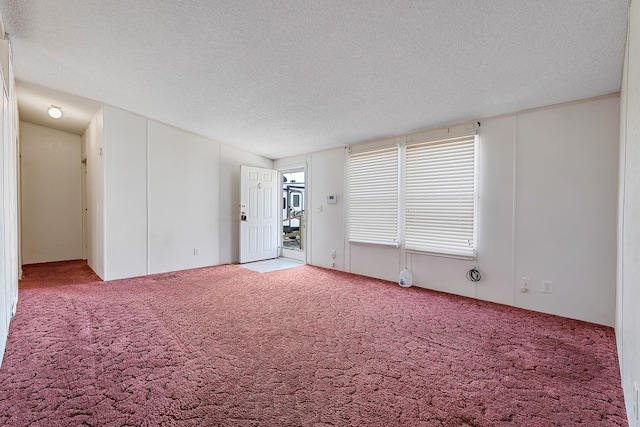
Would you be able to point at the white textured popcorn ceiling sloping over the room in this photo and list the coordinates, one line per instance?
(282, 77)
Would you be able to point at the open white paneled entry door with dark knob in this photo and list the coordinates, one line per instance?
(258, 214)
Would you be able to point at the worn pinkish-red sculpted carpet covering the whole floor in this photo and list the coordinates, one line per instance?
(225, 346)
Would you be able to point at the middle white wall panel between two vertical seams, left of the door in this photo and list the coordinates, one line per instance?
(184, 199)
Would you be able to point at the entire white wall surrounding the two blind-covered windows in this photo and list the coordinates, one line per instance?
(547, 210)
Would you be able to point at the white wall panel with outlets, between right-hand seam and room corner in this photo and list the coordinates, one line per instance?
(566, 173)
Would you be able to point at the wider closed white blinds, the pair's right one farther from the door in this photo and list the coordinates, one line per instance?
(440, 196)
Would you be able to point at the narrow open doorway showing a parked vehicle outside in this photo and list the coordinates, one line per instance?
(293, 214)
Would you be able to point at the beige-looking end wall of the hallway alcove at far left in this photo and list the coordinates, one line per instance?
(51, 194)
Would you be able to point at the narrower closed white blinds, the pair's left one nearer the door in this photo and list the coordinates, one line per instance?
(373, 196)
